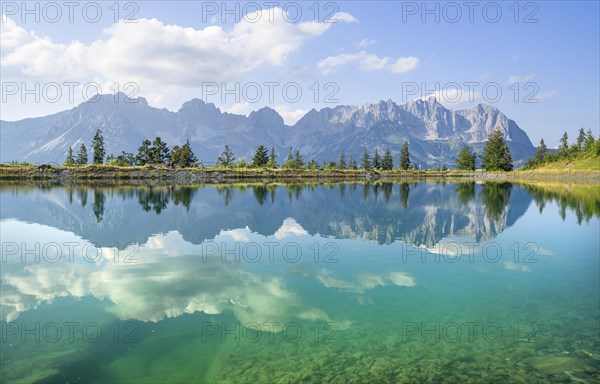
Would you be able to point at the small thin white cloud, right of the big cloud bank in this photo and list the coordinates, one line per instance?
(367, 62)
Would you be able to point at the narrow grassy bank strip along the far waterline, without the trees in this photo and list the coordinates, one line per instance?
(105, 174)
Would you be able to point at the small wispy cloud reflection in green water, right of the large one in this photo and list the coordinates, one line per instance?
(364, 281)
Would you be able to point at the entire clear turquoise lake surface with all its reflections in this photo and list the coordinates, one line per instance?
(401, 283)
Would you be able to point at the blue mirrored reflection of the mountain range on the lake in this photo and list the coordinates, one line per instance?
(420, 214)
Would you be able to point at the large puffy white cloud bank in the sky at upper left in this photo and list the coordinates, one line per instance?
(150, 52)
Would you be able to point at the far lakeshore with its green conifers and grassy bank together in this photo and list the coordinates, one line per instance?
(155, 160)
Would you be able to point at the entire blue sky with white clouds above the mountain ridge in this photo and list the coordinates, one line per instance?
(542, 56)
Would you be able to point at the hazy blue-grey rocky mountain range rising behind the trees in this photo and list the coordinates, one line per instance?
(435, 134)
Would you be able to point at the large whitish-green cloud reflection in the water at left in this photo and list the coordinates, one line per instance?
(171, 278)
